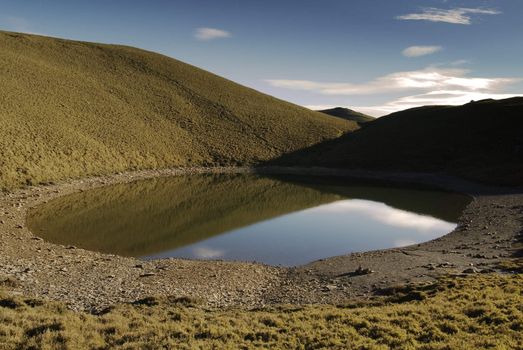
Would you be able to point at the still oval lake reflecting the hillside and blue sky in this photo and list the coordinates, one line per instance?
(274, 220)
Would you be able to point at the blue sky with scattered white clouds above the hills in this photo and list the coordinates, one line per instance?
(375, 56)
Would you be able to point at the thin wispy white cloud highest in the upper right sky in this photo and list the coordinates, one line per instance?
(455, 16)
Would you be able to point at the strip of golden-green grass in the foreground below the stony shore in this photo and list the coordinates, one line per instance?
(477, 312)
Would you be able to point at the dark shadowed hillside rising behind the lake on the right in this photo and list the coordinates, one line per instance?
(481, 140)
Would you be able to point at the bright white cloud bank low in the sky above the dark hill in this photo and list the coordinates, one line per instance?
(429, 86)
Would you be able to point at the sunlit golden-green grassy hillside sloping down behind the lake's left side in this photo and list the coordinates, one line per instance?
(72, 109)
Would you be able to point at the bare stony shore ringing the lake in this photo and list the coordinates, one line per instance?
(490, 230)
